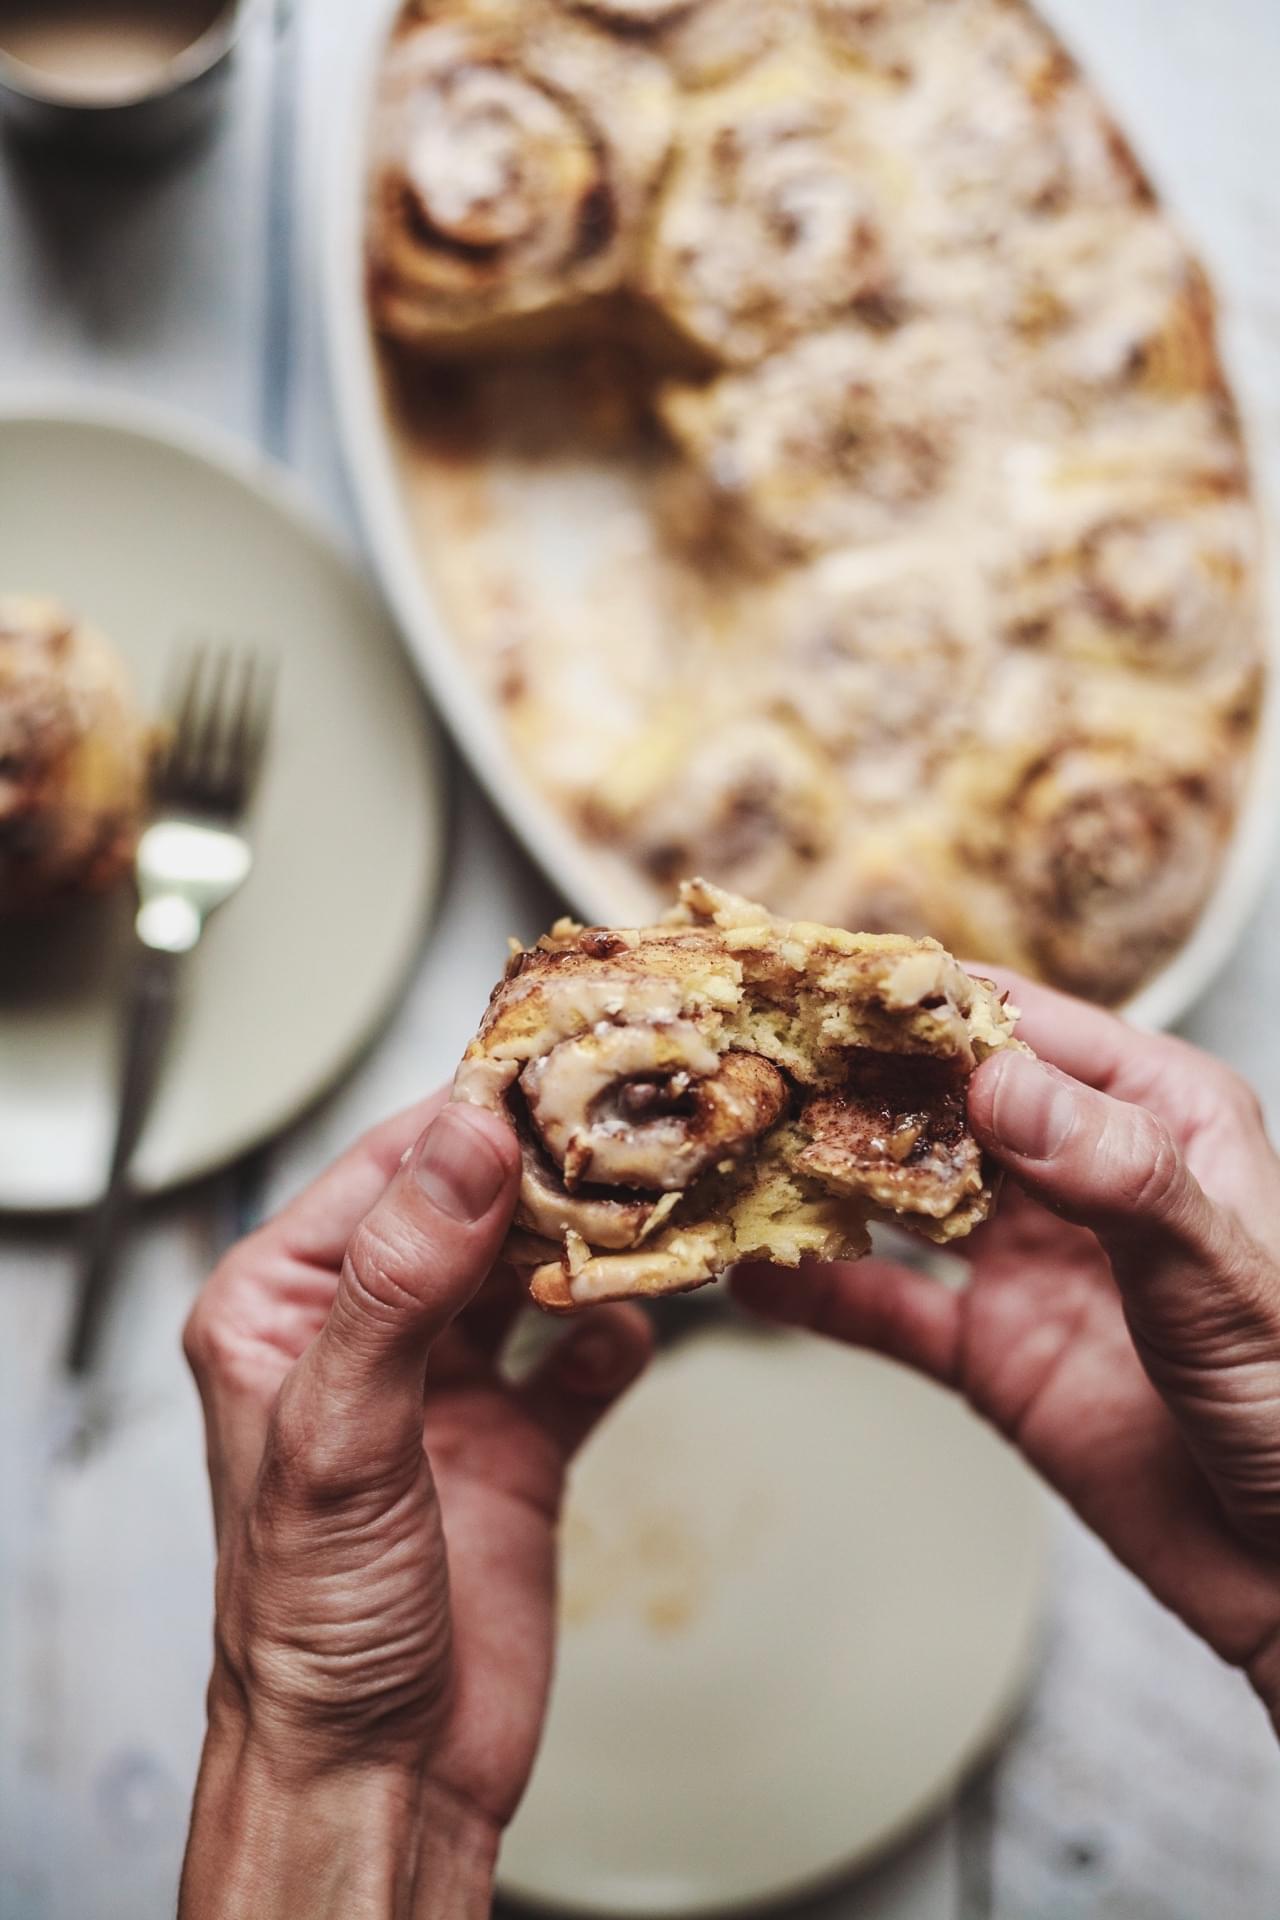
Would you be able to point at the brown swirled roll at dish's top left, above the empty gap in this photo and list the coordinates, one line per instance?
(510, 178)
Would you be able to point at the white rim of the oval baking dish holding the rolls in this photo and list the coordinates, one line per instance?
(596, 884)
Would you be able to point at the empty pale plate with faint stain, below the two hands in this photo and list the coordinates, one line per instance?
(801, 1595)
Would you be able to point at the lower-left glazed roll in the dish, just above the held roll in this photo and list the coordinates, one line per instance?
(751, 800)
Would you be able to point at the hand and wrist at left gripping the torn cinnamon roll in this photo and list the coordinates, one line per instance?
(387, 1548)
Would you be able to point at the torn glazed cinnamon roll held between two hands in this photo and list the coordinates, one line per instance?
(730, 1086)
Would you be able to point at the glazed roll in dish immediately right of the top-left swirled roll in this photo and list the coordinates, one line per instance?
(772, 220)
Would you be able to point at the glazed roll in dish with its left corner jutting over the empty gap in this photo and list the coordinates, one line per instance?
(847, 439)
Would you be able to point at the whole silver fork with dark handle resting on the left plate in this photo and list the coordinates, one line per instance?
(191, 861)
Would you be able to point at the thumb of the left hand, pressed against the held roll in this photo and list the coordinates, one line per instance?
(412, 1266)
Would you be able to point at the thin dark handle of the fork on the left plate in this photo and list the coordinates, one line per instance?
(149, 1024)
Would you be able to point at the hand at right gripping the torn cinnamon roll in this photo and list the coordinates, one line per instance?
(1124, 1314)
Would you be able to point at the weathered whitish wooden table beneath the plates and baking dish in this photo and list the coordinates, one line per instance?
(1143, 1783)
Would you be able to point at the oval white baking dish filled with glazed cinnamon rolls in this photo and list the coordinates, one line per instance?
(799, 446)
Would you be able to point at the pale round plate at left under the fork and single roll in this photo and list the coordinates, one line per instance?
(160, 533)
